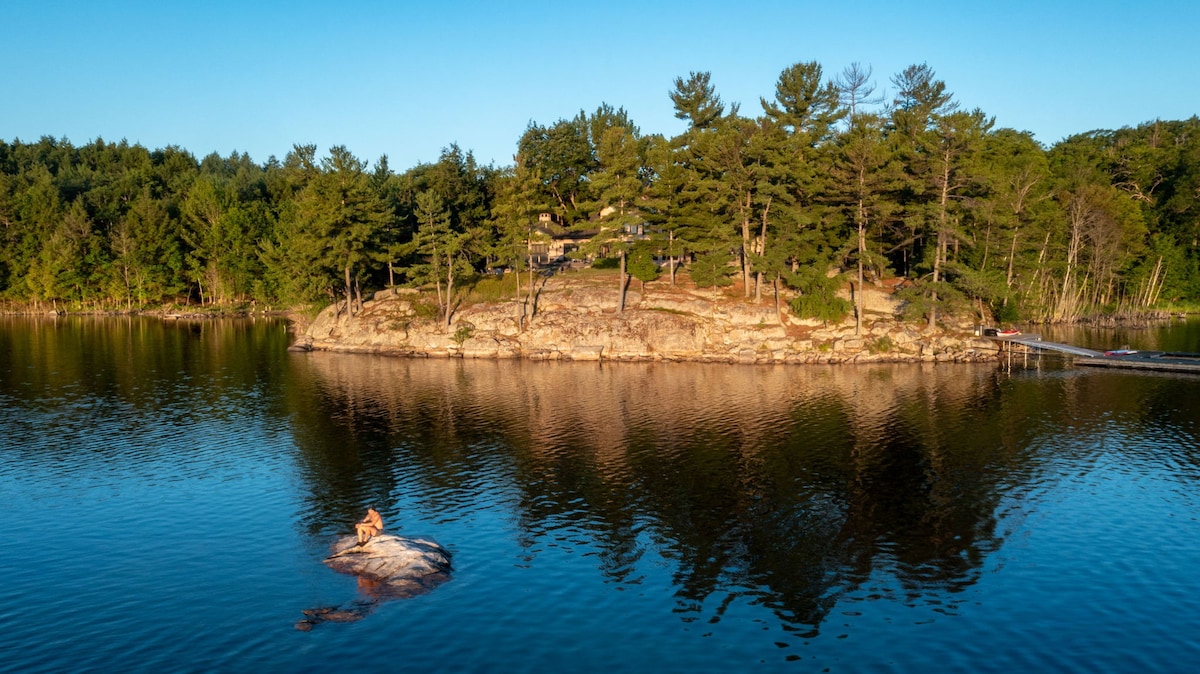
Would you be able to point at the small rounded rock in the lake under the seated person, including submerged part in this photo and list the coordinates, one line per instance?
(388, 568)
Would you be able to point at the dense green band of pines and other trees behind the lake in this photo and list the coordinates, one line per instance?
(829, 185)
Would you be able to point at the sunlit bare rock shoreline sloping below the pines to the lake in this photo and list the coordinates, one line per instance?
(578, 321)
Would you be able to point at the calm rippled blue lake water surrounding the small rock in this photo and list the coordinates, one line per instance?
(170, 490)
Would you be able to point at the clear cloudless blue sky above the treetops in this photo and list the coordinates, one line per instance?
(409, 79)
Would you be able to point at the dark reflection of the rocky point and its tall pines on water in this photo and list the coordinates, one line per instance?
(785, 488)
